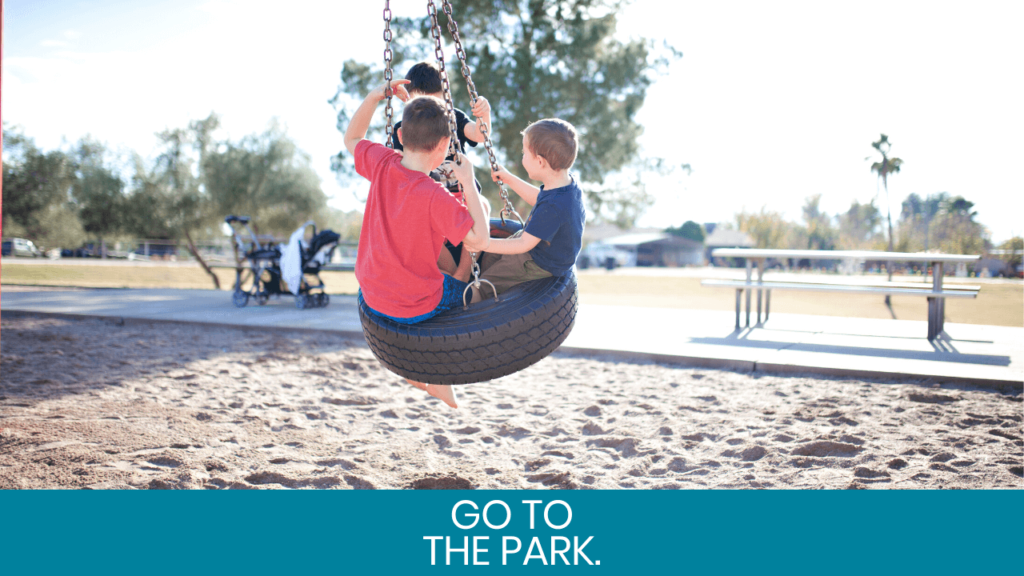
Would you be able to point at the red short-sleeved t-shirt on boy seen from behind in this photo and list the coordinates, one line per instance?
(407, 220)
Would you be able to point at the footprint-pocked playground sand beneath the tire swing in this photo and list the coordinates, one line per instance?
(94, 404)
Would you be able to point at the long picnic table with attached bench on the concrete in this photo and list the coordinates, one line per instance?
(936, 296)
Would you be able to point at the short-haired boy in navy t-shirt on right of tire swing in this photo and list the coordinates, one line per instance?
(551, 241)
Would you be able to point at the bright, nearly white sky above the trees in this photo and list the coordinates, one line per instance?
(771, 104)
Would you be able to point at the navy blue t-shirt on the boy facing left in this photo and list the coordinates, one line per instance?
(558, 220)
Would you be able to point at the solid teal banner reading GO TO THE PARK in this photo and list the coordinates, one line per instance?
(592, 532)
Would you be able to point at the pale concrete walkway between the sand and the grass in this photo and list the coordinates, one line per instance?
(990, 356)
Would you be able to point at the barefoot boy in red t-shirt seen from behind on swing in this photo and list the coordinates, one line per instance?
(409, 217)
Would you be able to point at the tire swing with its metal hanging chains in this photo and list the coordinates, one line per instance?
(493, 339)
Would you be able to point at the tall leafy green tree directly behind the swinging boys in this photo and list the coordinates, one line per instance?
(538, 59)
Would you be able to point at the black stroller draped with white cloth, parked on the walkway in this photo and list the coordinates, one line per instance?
(269, 266)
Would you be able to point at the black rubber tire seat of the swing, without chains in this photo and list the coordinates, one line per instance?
(487, 342)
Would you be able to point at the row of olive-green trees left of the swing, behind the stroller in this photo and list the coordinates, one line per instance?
(63, 199)
